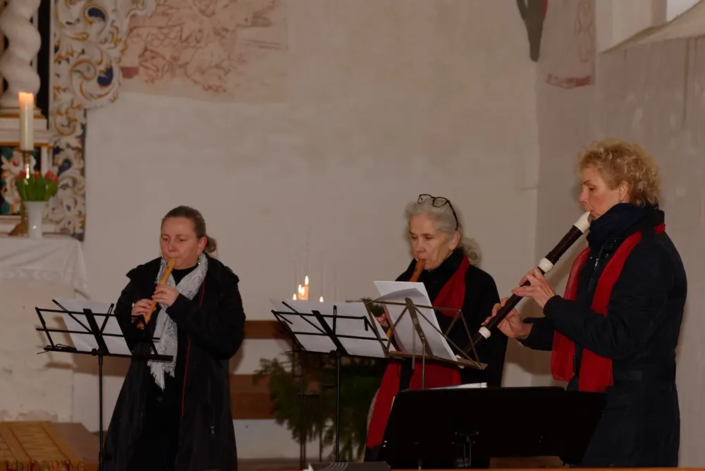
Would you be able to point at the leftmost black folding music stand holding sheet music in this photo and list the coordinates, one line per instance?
(97, 338)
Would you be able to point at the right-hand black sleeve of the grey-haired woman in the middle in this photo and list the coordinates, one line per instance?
(483, 297)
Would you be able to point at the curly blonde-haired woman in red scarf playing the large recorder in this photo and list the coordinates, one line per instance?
(616, 328)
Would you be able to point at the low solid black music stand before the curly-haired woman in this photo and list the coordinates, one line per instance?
(447, 427)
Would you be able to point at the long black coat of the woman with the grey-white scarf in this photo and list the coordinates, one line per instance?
(209, 336)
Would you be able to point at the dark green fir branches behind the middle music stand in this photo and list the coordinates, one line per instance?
(306, 403)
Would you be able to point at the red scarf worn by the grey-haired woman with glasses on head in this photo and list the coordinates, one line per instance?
(451, 296)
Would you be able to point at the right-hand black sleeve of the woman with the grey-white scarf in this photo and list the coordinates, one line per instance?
(219, 330)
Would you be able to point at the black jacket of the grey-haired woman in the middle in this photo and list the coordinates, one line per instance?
(480, 296)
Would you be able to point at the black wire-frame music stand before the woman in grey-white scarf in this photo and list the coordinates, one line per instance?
(94, 331)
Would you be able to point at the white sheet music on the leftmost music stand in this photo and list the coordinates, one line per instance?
(79, 323)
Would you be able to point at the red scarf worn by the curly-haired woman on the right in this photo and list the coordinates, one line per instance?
(595, 371)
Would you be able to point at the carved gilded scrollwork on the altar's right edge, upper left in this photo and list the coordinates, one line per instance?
(89, 38)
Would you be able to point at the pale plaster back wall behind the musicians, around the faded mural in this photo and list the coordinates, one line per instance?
(386, 99)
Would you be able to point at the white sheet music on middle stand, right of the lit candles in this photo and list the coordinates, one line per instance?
(342, 327)
